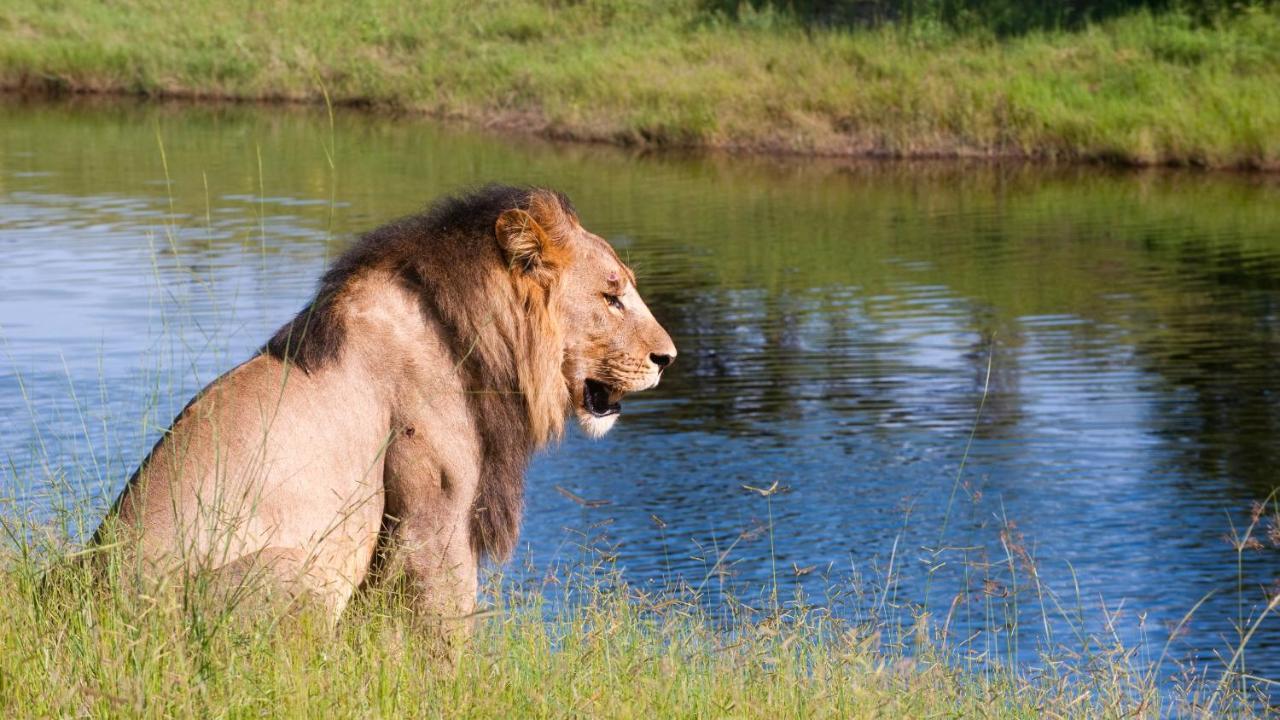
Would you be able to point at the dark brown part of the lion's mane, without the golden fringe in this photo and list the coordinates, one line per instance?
(444, 257)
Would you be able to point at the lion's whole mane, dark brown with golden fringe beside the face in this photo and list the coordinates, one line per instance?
(501, 326)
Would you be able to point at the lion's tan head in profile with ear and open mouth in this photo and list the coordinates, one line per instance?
(611, 343)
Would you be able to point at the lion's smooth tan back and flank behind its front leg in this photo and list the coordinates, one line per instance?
(264, 455)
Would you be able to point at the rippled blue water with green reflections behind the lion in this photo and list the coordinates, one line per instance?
(836, 325)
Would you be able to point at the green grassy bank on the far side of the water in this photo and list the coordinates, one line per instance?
(1139, 89)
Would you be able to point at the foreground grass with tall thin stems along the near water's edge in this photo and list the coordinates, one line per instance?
(81, 637)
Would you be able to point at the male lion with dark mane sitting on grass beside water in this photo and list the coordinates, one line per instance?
(397, 413)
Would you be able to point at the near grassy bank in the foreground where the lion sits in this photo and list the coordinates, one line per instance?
(74, 648)
